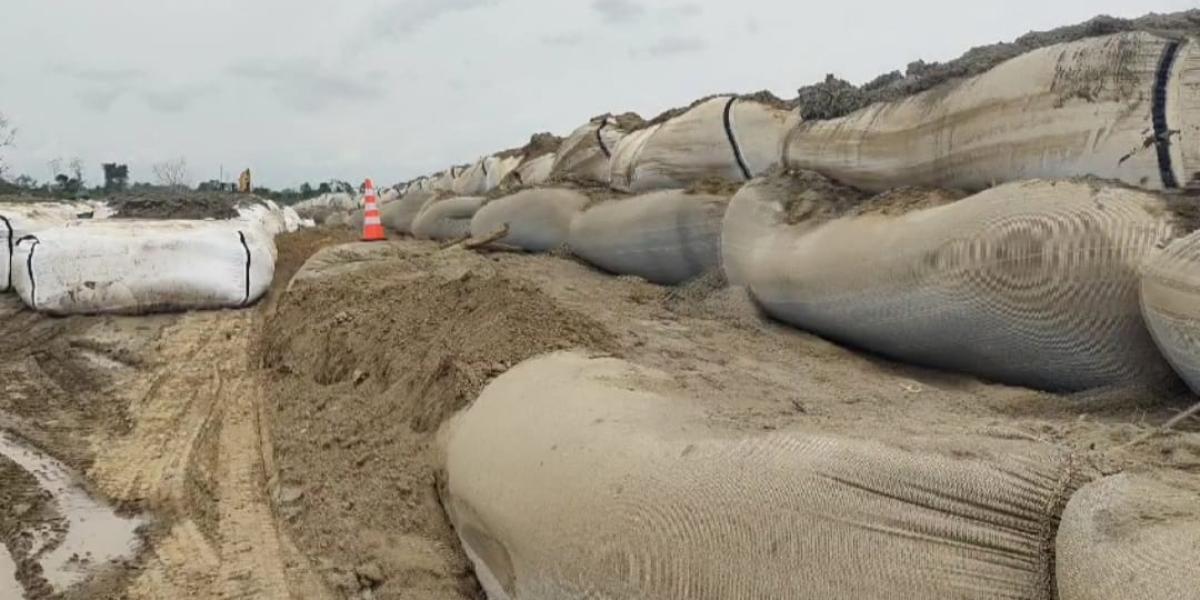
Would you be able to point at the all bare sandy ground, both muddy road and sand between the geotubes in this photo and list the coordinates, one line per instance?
(286, 451)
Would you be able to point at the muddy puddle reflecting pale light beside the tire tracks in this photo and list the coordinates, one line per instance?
(91, 535)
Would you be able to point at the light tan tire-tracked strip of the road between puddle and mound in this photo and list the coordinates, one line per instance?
(202, 381)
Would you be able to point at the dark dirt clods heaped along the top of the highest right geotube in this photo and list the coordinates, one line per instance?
(836, 98)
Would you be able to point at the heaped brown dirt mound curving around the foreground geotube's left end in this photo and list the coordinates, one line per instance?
(368, 362)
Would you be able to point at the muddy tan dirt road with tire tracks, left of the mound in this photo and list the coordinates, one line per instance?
(161, 417)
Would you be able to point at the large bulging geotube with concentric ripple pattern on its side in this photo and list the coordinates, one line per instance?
(1033, 284)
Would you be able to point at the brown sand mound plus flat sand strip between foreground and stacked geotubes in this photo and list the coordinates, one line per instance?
(377, 350)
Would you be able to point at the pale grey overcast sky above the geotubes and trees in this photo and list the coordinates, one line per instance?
(316, 89)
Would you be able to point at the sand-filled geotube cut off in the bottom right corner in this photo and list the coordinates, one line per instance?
(1132, 536)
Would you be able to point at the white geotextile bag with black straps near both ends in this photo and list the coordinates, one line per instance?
(142, 267)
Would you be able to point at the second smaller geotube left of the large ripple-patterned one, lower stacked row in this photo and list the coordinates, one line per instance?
(537, 220)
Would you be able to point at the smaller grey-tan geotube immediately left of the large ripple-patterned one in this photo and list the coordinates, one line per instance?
(667, 237)
